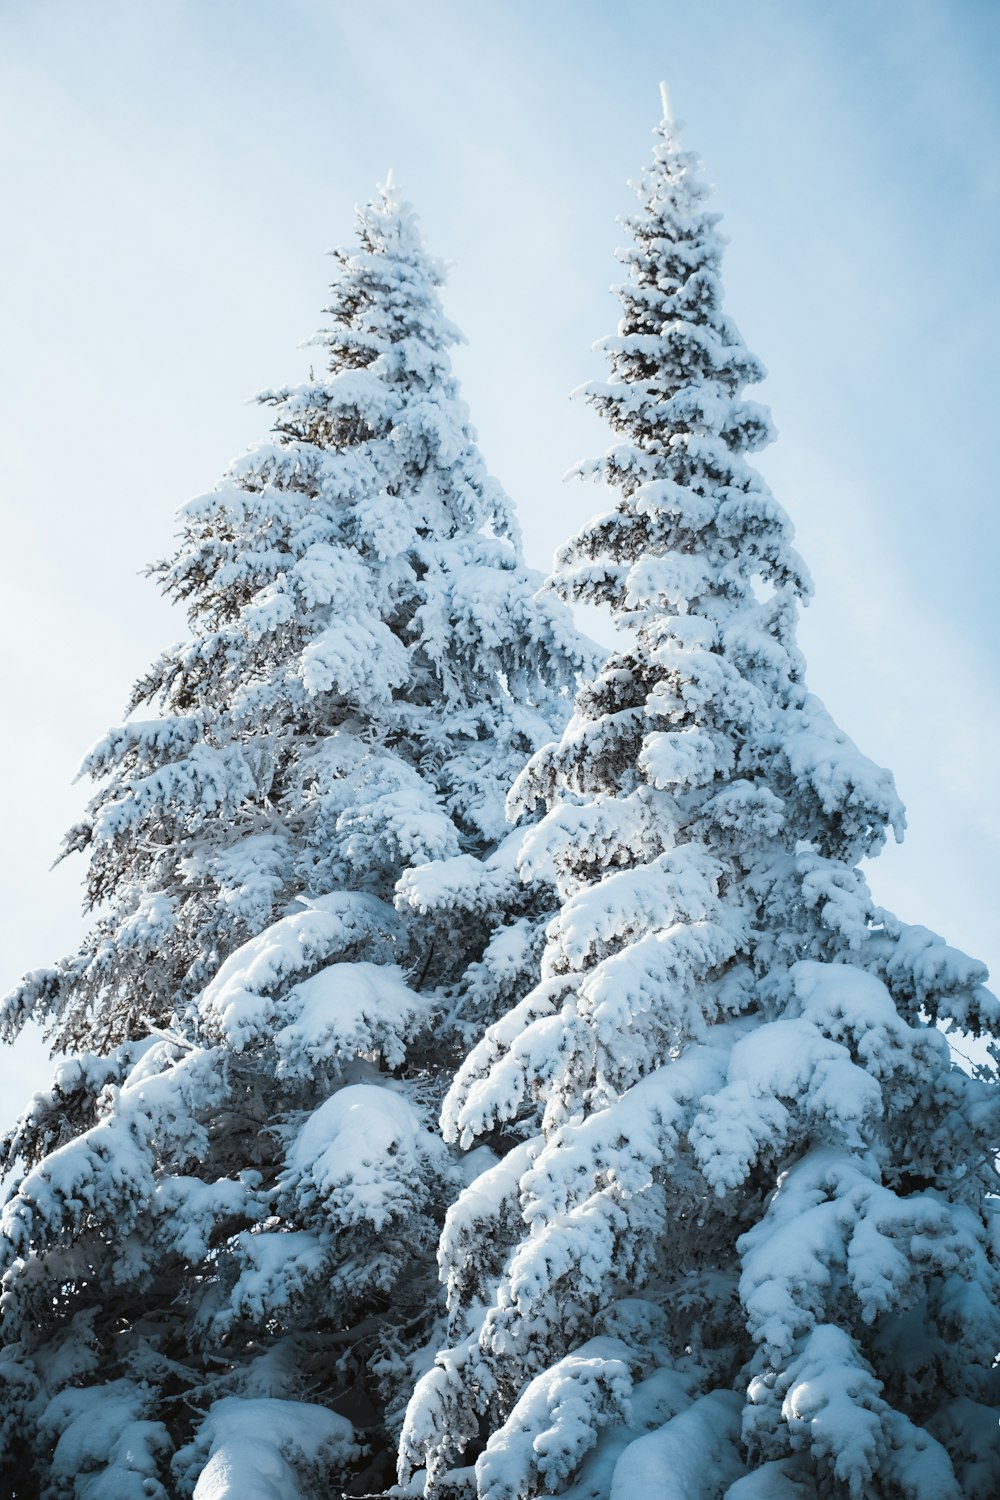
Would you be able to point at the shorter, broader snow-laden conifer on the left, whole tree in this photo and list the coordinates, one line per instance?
(221, 1247)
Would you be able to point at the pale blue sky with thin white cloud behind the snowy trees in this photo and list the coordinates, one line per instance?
(173, 175)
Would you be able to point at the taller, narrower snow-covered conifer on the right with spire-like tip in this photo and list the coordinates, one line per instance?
(744, 1249)
